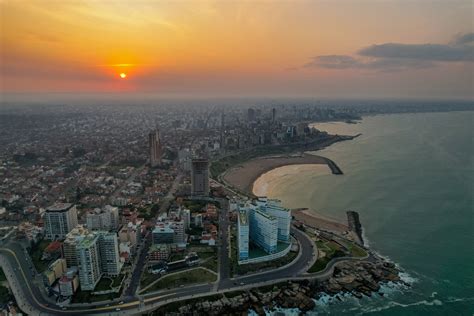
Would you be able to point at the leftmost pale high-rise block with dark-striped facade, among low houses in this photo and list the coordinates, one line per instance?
(59, 219)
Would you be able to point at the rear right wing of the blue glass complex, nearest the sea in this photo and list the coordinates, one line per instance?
(274, 208)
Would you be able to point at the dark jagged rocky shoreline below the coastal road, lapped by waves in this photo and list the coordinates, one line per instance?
(360, 278)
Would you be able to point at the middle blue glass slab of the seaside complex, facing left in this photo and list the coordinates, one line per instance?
(263, 230)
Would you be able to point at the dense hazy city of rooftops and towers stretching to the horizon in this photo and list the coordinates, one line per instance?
(99, 209)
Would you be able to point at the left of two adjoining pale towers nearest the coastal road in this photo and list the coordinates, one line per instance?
(88, 258)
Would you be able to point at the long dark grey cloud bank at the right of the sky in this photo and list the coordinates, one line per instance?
(396, 56)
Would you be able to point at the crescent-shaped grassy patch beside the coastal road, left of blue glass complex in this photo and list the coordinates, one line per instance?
(183, 278)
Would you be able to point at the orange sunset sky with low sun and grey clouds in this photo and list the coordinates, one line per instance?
(329, 48)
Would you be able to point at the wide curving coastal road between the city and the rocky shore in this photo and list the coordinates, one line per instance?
(33, 302)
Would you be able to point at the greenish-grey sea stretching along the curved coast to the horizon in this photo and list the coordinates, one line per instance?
(410, 177)
